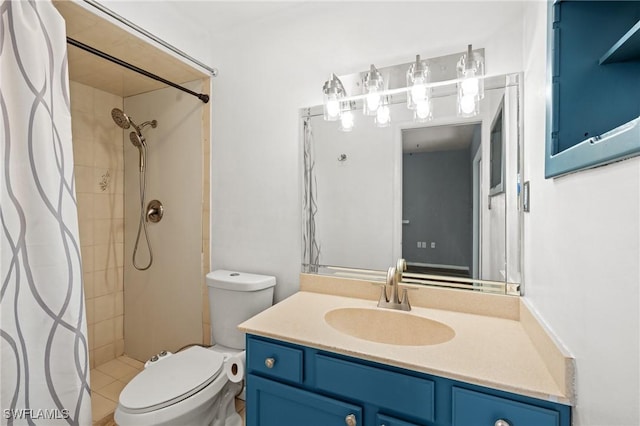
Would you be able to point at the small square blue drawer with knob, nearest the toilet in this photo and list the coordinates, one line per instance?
(273, 360)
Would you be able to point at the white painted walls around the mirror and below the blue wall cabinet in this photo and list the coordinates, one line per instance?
(581, 237)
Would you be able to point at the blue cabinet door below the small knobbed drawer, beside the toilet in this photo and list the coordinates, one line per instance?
(276, 404)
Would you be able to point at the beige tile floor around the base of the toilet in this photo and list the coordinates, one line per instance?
(108, 380)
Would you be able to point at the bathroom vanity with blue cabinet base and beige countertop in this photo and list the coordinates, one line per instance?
(495, 370)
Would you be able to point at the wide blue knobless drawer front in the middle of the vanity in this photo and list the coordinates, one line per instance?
(395, 392)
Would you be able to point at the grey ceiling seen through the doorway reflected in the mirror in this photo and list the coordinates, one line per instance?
(437, 138)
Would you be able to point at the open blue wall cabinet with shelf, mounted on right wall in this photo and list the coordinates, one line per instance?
(593, 115)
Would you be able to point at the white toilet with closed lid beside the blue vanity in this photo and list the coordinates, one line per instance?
(190, 387)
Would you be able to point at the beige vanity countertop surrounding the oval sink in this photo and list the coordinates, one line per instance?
(489, 351)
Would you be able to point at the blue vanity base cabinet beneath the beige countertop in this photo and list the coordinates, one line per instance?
(296, 385)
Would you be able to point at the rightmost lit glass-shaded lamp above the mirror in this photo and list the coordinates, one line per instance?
(470, 70)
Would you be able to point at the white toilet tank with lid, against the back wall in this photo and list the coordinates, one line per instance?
(234, 297)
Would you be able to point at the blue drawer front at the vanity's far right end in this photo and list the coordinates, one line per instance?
(477, 409)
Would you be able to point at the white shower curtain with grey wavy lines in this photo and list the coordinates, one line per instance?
(43, 345)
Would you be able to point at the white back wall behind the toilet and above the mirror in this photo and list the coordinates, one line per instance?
(270, 70)
